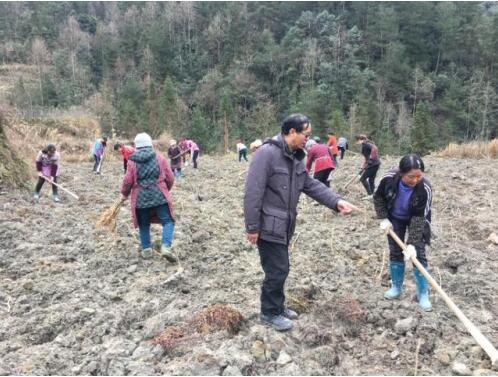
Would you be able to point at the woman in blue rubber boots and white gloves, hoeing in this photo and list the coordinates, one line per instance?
(403, 200)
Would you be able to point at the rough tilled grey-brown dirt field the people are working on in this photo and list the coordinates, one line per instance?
(76, 299)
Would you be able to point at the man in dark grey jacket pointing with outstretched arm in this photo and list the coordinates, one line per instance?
(275, 180)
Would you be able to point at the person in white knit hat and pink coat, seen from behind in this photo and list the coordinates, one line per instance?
(149, 180)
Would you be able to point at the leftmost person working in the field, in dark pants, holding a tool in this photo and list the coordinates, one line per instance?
(47, 165)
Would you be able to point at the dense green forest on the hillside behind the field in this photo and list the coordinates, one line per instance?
(412, 75)
